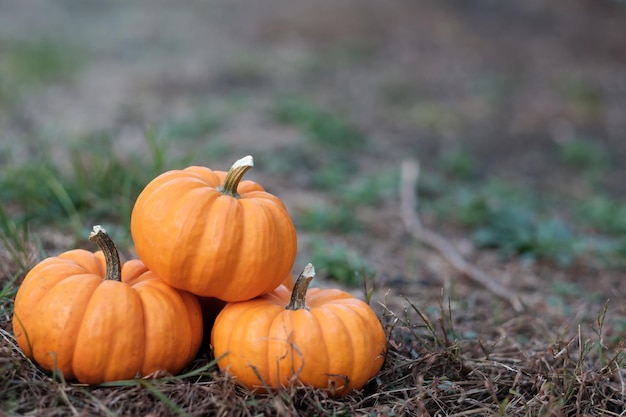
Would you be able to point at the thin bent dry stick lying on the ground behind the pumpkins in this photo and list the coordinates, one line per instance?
(411, 220)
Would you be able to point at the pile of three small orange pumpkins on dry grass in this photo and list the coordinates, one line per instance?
(207, 242)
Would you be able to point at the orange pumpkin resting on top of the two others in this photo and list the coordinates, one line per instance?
(211, 234)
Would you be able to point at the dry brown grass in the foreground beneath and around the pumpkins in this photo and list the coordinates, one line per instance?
(430, 370)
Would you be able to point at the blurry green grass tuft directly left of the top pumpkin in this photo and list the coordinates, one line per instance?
(98, 186)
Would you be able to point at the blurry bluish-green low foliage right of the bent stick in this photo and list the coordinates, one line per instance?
(520, 221)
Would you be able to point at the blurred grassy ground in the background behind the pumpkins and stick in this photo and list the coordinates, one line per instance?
(516, 111)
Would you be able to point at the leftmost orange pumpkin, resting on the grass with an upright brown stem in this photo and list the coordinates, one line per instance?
(93, 319)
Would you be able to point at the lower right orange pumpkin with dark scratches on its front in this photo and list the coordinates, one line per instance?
(324, 338)
